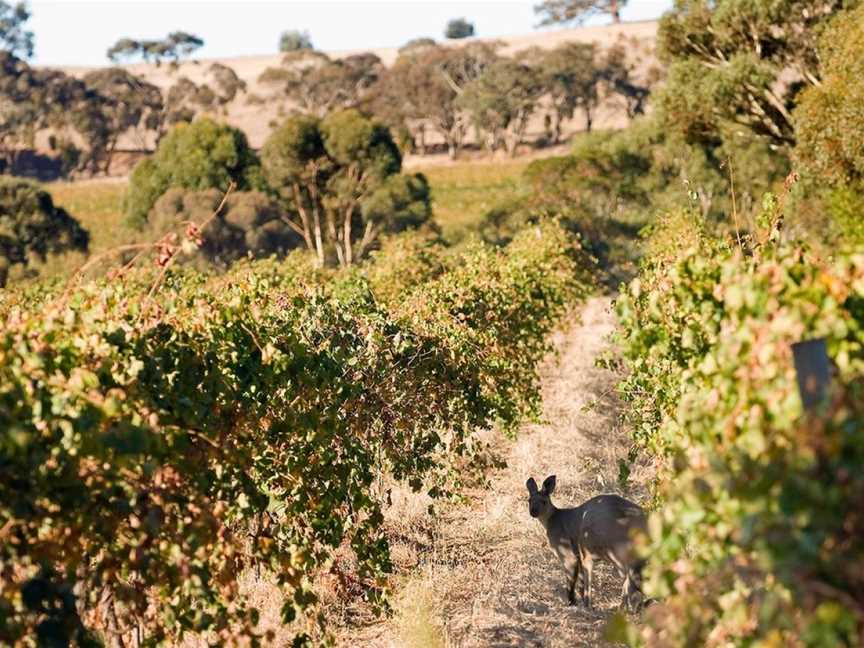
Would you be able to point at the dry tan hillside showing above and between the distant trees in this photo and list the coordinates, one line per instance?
(255, 118)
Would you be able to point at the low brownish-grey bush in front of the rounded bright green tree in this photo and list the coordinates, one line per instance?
(249, 223)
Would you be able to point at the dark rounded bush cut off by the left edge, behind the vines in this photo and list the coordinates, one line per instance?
(32, 228)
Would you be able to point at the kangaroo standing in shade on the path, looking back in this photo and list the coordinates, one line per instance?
(599, 529)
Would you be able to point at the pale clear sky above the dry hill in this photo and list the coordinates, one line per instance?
(78, 32)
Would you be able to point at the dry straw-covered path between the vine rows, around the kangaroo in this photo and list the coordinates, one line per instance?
(481, 573)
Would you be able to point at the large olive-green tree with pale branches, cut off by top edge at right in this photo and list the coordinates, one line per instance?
(740, 63)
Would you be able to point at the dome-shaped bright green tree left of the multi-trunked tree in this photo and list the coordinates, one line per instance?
(202, 155)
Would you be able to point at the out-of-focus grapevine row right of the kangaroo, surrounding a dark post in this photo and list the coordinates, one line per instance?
(758, 537)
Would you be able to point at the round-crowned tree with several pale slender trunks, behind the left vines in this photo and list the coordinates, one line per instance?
(341, 176)
